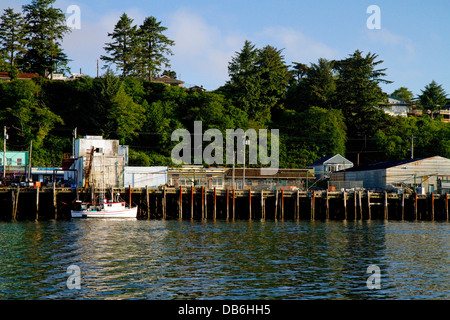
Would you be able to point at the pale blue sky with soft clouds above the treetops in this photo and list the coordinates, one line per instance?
(412, 37)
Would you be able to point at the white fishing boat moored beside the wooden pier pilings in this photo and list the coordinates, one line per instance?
(103, 210)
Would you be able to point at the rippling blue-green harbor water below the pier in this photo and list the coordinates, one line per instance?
(132, 259)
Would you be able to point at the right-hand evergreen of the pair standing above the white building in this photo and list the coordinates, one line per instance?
(153, 48)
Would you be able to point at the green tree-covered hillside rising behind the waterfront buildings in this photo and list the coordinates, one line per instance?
(320, 109)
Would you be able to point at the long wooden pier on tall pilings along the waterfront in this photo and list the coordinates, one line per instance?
(199, 203)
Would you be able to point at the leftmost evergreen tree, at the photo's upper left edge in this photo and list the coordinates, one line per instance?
(12, 38)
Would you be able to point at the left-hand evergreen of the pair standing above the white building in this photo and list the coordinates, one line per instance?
(122, 49)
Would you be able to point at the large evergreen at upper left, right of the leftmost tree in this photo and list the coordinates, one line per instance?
(46, 27)
